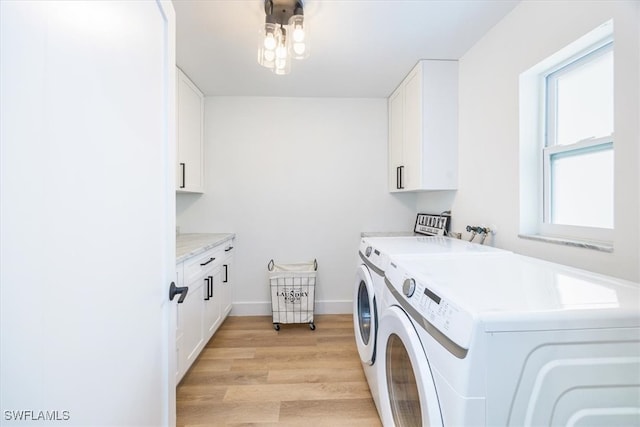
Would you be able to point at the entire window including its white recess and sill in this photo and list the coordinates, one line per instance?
(567, 144)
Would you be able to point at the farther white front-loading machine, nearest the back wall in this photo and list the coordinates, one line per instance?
(370, 292)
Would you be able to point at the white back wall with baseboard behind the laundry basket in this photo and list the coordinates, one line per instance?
(295, 179)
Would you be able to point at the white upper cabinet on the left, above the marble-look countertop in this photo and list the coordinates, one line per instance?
(190, 128)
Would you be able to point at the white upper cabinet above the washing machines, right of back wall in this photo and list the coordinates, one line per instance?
(423, 129)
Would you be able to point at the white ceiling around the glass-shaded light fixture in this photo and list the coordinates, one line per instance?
(358, 48)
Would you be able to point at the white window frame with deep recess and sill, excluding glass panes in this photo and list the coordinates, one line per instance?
(535, 156)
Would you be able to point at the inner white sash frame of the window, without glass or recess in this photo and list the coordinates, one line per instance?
(550, 148)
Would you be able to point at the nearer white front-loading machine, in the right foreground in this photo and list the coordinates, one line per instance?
(507, 340)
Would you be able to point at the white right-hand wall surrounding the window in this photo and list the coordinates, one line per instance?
(488, 135)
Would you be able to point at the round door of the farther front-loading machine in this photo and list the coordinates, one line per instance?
(365, 316)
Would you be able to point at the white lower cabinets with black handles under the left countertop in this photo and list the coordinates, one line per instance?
(207, 304)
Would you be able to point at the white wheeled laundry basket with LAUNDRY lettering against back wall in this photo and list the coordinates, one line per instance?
(293, 292)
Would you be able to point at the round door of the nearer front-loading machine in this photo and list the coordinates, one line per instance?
(407, 392)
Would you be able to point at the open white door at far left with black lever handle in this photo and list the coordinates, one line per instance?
(87, 212)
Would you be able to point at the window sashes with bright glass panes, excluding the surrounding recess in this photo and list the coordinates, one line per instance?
(578, 151)
